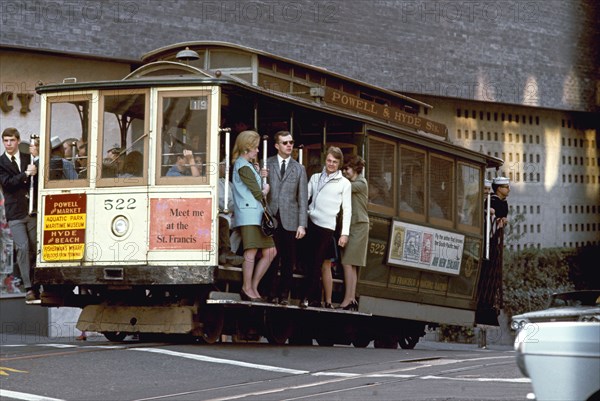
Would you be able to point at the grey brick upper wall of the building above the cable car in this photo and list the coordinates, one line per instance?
(537, 53)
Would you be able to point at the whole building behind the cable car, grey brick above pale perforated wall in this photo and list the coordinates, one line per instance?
(515, 79)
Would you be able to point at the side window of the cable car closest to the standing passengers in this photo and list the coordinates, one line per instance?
(380, 171)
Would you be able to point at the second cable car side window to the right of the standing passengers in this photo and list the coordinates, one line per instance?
(412, 180)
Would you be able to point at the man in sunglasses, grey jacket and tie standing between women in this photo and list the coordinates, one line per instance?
(288, 200)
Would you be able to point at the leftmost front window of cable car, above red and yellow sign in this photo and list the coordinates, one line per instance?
(67, 133)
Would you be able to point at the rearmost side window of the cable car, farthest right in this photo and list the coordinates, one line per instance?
(469, 197)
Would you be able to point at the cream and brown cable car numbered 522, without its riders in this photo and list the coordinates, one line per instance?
(133, 239)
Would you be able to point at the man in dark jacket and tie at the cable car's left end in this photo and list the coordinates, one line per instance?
(16, 173)
